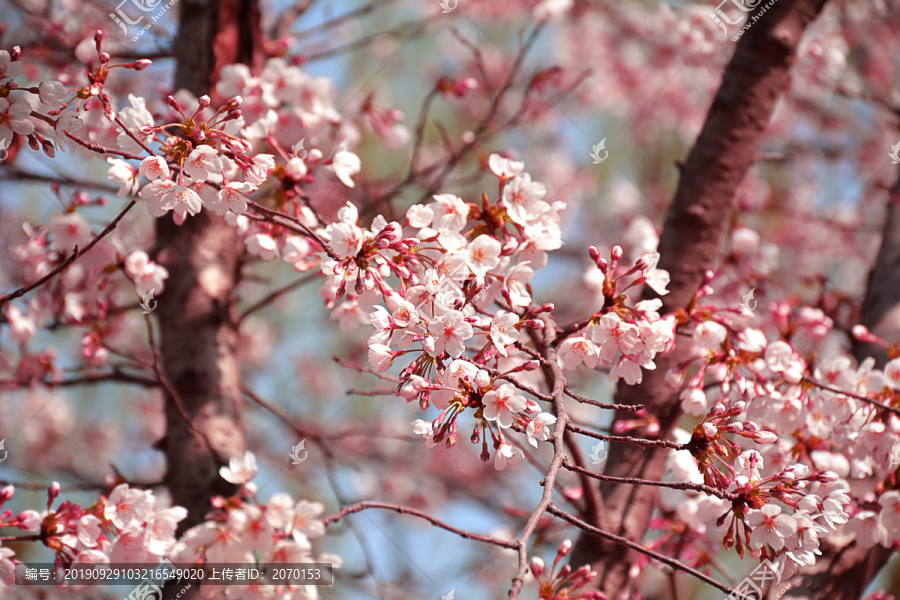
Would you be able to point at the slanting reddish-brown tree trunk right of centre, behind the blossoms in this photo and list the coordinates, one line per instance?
(752, 83)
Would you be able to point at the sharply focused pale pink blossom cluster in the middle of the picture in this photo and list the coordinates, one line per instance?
(448, 292)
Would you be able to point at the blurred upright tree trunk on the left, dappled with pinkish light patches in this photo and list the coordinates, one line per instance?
(197, 314)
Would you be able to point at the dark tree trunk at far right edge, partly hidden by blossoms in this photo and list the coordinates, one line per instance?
(844, 574)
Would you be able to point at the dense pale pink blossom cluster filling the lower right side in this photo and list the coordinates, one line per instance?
(786, 438)
